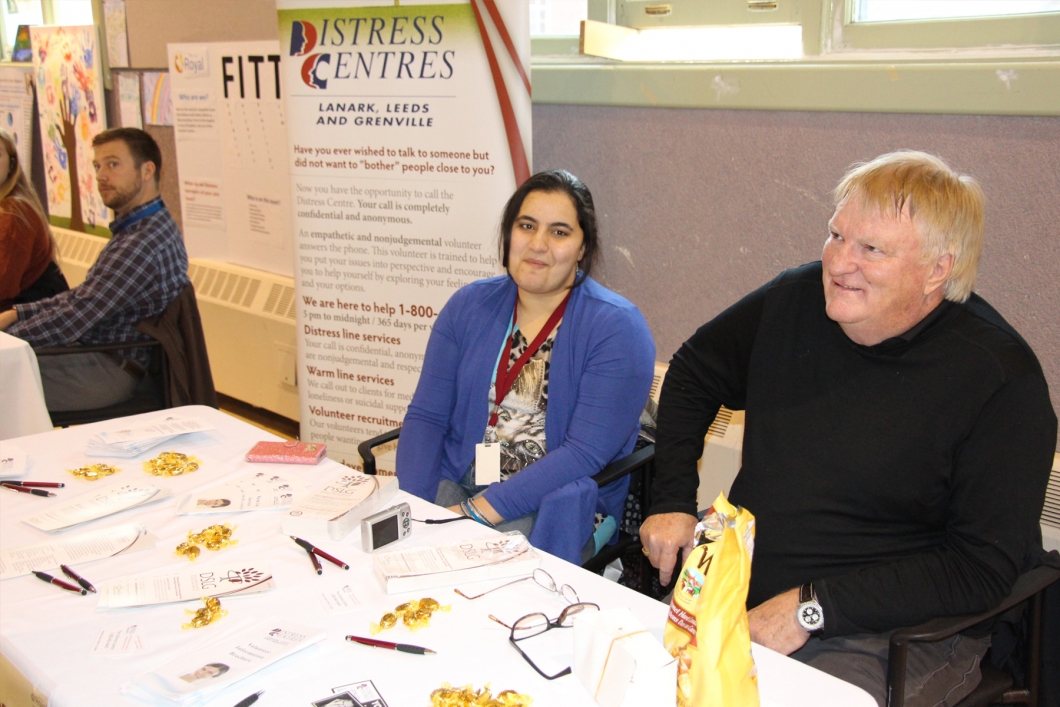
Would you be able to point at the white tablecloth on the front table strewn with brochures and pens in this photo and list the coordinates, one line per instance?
(47, 633)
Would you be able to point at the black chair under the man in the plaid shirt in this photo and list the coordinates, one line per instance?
(151, 395)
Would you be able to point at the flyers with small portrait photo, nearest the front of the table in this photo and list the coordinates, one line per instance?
(198, 676)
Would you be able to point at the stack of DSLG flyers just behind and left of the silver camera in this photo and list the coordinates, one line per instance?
(338, 507)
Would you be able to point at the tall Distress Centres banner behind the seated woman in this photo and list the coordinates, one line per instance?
(410, 130)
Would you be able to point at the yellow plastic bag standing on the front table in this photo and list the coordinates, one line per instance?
(708, 627)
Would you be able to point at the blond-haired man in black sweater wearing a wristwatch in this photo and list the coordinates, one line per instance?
(899, 436)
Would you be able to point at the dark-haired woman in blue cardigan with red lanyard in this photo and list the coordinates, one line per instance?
(545, 365)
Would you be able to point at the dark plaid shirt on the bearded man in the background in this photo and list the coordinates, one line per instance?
(139, 273)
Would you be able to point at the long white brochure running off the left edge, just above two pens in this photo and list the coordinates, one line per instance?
(76, 550)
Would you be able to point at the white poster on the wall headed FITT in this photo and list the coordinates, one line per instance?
(232, 136)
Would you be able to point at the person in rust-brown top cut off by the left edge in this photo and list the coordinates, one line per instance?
(28, 269)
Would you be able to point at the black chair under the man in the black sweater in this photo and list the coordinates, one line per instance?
(997, 687)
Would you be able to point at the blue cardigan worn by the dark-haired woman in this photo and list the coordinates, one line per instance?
(599, 378)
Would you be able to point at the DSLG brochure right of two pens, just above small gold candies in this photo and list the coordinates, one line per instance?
(185, 585)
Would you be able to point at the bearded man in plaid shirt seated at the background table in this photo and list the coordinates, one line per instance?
(143, 269)
